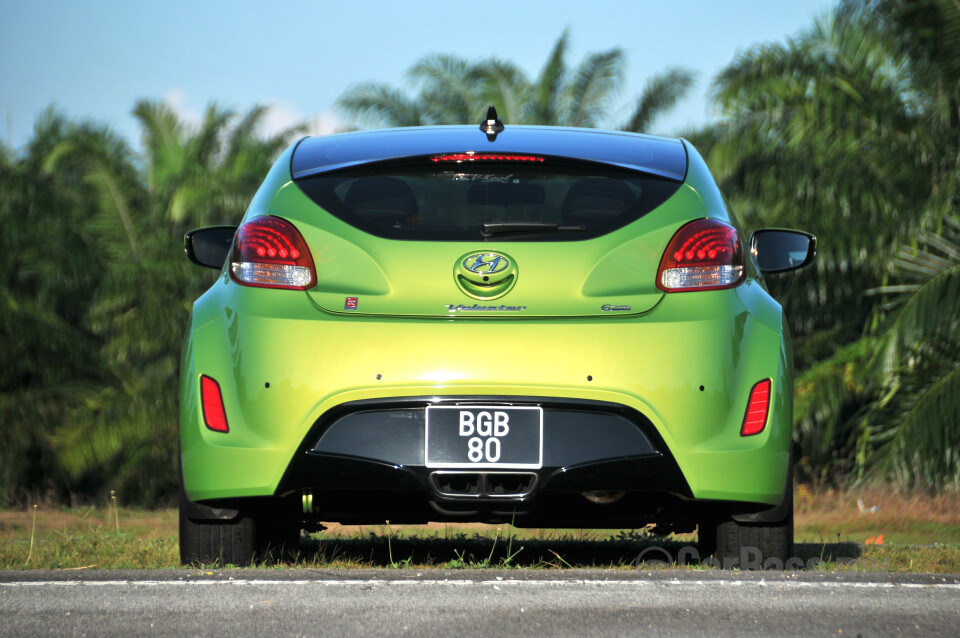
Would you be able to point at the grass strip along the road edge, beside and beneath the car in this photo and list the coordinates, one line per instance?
(920, 534)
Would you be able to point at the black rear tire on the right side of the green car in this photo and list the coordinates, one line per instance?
(748, 545)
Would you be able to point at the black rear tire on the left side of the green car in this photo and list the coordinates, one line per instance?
(227, 542)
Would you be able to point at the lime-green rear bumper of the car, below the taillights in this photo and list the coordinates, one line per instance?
(682, 373)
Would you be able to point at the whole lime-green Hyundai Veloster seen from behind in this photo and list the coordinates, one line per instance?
(549, 327)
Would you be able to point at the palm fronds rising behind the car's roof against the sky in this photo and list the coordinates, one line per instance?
(452, 90)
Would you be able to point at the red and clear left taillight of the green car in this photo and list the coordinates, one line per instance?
(270, 252)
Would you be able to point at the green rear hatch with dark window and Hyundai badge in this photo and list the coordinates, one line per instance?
(486, 234)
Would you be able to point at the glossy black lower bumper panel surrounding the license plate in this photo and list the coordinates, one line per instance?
(588, 446)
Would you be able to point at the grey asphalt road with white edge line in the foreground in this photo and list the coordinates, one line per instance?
(476, 603)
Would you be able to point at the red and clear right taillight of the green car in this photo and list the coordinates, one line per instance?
(703, 255)
